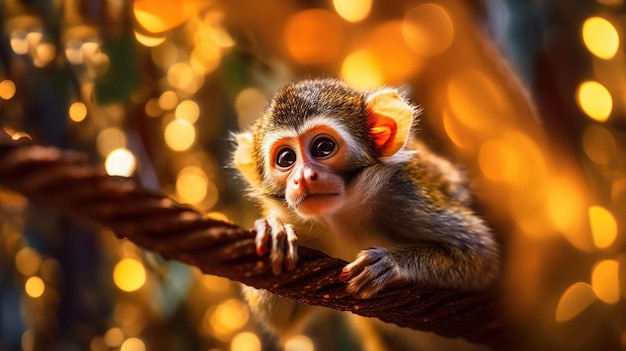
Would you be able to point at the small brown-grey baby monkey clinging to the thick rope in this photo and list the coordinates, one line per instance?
(339, 169)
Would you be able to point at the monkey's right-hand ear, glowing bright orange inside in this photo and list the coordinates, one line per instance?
(390, 121)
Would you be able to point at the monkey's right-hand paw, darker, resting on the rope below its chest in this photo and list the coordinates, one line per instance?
(370, 272)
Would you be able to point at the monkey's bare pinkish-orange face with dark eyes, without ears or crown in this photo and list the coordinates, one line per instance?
(310, 164)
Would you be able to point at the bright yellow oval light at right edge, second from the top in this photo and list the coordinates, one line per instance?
(595, 100)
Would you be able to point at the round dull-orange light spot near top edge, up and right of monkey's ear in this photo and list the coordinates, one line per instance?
(428, 29)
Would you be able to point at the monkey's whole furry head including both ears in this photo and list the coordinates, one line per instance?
(315, 137)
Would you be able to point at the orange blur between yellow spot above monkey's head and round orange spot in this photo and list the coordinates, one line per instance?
(396, 61)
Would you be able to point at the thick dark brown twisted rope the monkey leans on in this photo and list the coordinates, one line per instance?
(65, 181)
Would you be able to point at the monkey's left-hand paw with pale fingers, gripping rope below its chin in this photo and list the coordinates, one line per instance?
(279, 239)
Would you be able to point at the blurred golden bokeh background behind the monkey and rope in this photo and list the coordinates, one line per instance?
(152, 89)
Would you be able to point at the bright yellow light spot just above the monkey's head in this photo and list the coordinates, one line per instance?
(361, 69)
